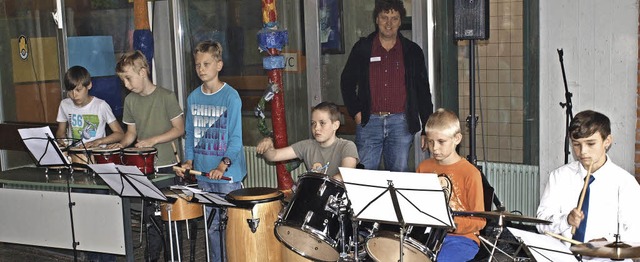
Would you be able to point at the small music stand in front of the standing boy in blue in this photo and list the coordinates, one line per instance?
(206, 198)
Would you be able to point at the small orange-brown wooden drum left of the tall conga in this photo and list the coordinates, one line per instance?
(182, 209)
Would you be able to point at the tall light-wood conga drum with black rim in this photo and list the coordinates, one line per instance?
(251, 224)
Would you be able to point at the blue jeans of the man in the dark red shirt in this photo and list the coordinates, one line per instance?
(386, 136)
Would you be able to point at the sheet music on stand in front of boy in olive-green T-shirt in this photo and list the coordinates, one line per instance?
(109, 173)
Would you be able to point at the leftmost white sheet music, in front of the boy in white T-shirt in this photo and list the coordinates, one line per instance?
(37, 141)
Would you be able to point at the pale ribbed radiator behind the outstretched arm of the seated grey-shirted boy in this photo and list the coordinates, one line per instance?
(261, 173)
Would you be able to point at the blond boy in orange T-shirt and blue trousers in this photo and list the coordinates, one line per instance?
(443, 135)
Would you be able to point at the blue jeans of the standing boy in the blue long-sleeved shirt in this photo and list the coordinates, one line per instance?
(214, 229)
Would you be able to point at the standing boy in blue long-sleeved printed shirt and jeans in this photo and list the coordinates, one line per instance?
(213, 142)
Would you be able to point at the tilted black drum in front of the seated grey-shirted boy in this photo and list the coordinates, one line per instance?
(310, 223)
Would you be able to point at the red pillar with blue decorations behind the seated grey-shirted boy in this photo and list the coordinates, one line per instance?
(271, 40)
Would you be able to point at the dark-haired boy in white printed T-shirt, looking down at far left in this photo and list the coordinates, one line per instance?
(86, 115)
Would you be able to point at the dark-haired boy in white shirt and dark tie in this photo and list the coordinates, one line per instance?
(613, 193)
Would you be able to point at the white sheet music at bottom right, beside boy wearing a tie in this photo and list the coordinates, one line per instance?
(543, 247)
